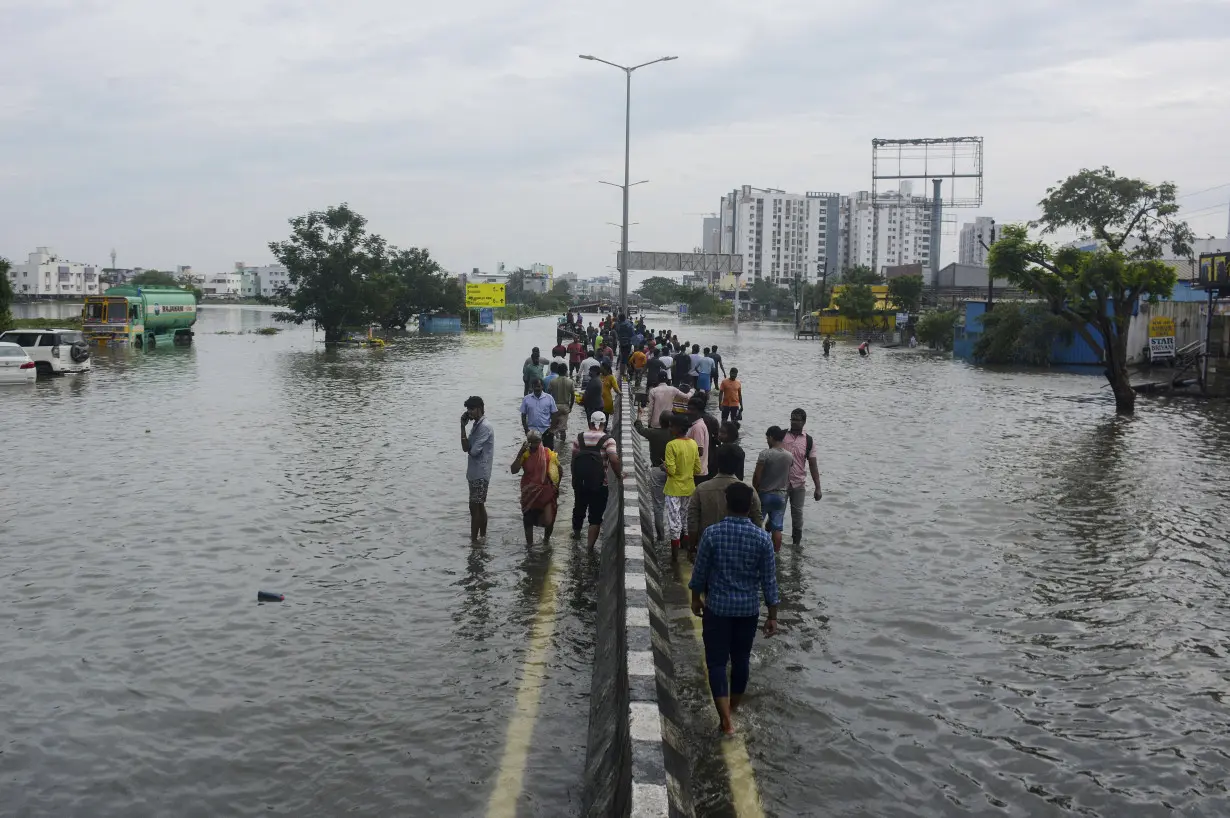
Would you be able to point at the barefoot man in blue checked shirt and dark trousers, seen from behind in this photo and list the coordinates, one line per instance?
(735, 564)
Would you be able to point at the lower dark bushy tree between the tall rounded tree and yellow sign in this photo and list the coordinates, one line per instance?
(411, 282)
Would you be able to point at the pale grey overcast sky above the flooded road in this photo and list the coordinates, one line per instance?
(188, 133)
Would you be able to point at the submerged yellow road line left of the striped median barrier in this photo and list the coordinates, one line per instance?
(530, 694)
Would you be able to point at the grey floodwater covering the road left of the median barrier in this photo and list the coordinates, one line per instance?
(148, 502)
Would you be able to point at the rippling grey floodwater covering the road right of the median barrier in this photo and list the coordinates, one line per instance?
(1008, 603)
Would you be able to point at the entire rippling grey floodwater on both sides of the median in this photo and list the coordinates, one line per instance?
(1009, 602)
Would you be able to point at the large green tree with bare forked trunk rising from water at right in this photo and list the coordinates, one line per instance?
(1135, 223)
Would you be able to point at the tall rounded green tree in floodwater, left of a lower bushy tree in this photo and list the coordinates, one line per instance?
(333, 264)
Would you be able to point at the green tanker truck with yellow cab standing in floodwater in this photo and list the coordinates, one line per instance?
(142, 317)
